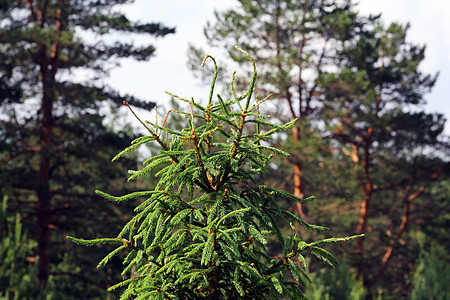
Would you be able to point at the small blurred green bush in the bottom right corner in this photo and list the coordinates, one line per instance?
(432, 275)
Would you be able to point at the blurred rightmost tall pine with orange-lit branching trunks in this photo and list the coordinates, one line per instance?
(394, 150)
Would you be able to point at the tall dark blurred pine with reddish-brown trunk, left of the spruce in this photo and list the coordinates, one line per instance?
(56, 142)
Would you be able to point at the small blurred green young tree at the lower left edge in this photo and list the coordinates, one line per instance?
(16, 273)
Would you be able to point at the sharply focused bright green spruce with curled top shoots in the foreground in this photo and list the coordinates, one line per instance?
(203, 231)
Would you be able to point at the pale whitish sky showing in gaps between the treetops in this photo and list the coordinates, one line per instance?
(168, 71)
